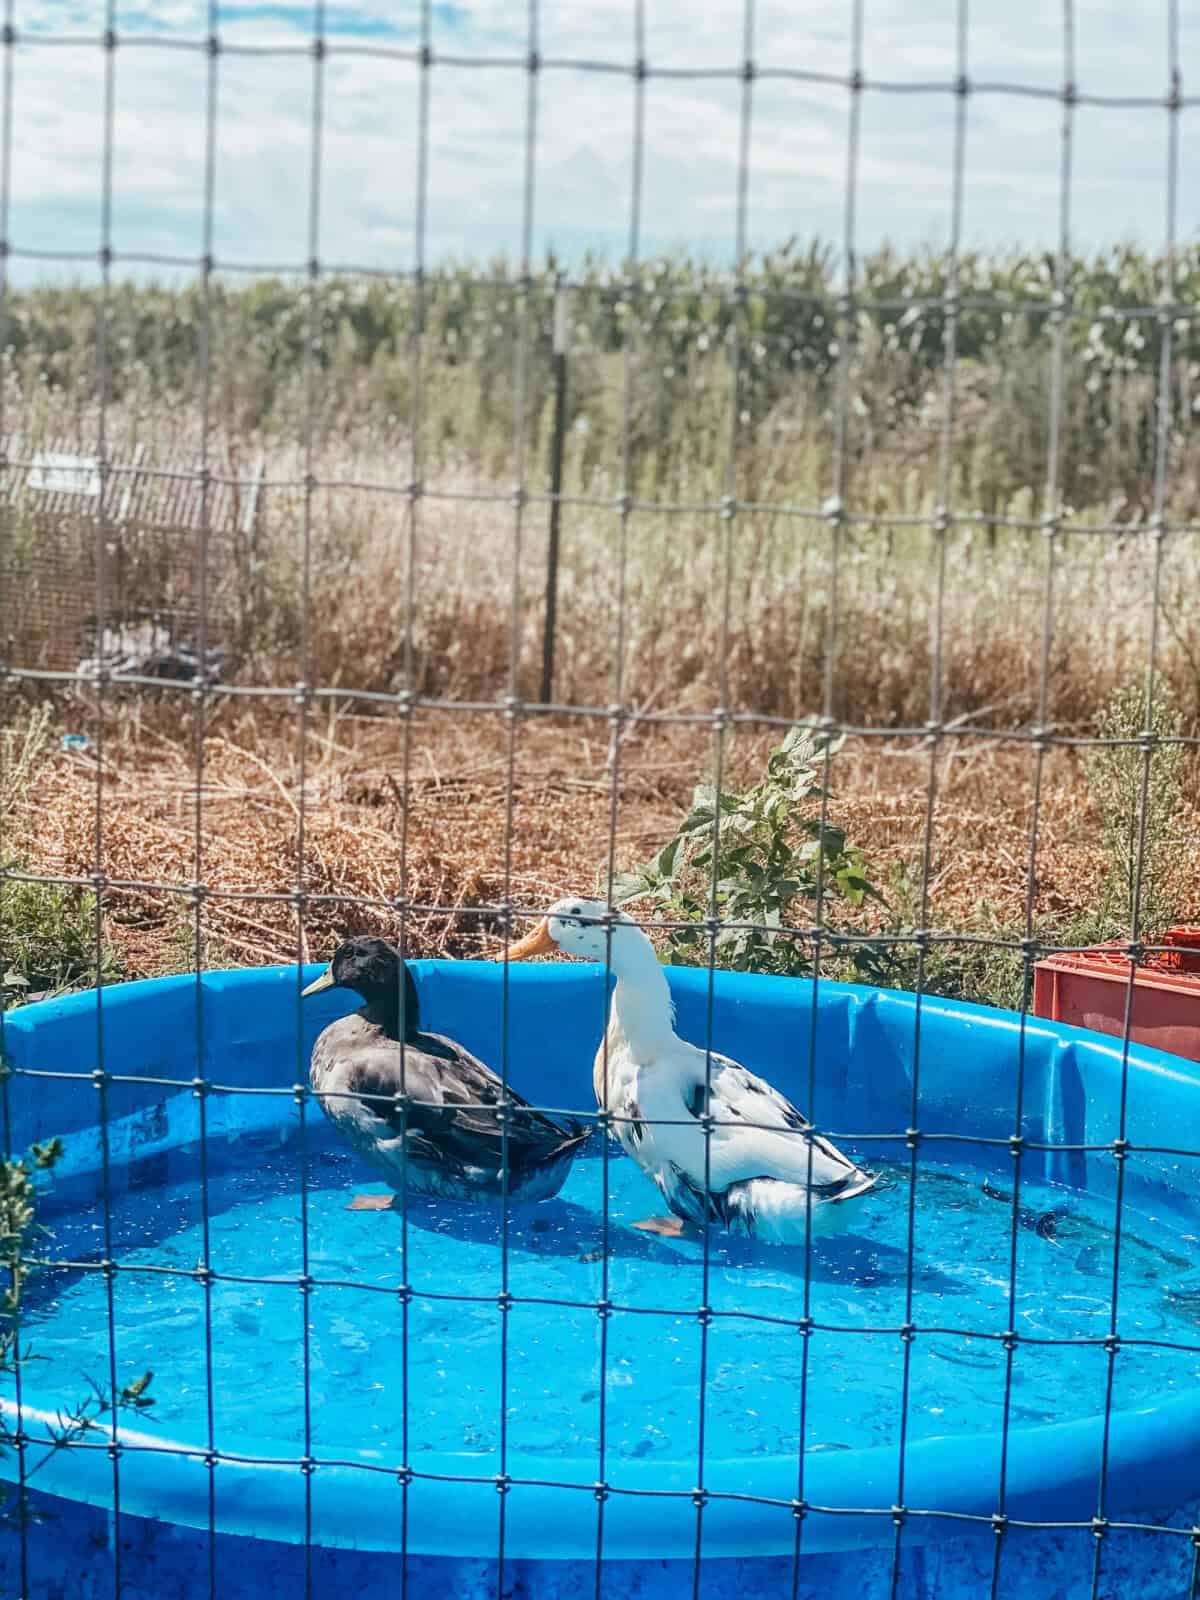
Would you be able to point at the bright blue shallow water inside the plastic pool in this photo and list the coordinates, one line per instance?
(758, 1372)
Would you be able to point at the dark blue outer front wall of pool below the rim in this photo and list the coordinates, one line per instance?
(71, 1558)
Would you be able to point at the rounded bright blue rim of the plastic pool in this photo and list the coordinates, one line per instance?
(1052, 1470)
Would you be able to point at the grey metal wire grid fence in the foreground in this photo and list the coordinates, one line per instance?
(210, 484)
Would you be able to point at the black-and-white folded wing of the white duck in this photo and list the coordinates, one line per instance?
(759, 1134)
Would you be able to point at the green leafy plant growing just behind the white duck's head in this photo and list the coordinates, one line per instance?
(774, 854)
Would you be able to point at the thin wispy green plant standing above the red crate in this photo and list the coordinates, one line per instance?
(1138, 802)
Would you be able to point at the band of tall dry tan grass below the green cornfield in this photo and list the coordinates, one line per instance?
(425, 599)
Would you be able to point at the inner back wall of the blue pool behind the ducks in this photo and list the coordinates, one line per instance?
(247, 1030)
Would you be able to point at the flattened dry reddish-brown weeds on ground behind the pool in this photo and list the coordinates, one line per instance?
(426, 818)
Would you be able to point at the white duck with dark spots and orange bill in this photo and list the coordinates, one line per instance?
(761, 1177)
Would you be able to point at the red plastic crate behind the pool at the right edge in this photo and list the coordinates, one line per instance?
(1090, 990)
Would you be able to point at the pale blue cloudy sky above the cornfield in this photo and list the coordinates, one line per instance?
(585, 129)
